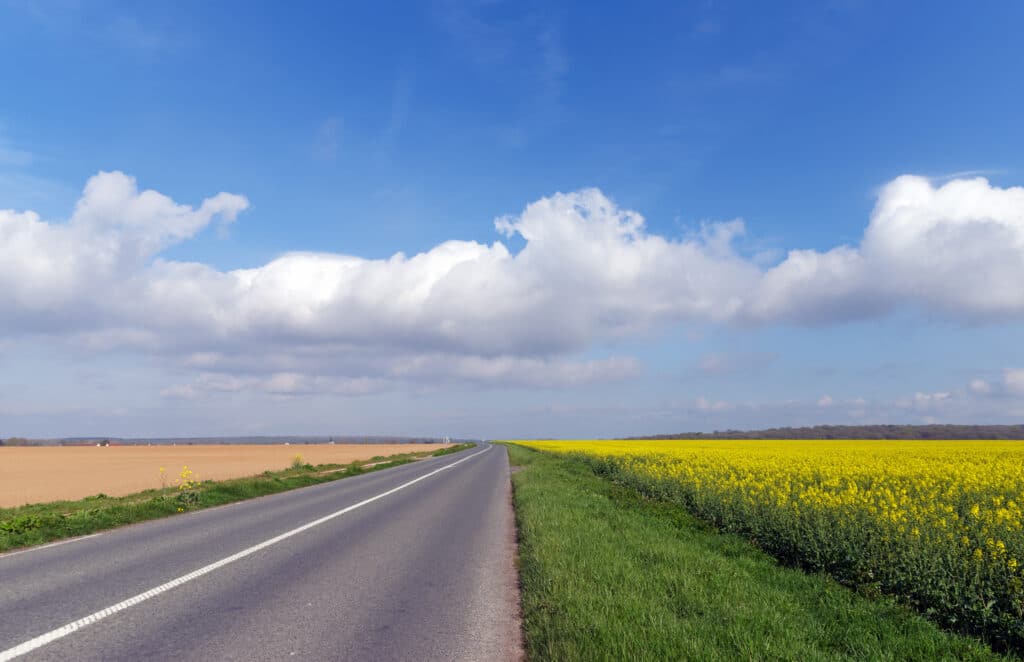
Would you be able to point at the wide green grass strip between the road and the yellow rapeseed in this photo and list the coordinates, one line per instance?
(610, 575)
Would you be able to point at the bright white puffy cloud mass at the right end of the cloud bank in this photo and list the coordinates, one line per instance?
(956, 250)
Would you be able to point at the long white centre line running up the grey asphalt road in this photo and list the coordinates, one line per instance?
(65, 631)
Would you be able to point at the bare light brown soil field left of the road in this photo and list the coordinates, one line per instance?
(36, 475)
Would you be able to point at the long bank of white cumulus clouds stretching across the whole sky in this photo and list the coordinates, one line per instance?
(589, 273)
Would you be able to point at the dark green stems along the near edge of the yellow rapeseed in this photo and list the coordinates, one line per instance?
(940, 582)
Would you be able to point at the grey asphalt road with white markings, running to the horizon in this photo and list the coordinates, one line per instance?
(414, 563)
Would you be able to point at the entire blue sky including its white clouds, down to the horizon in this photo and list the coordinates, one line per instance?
(882, 140)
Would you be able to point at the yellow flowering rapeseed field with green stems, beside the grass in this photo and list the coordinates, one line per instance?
(936, 523)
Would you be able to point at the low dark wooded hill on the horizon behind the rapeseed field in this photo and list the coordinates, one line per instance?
(862, 432)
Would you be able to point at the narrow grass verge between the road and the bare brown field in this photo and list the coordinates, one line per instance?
(41, 523)
